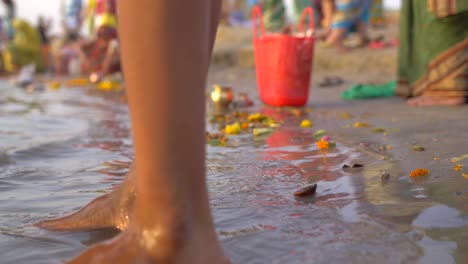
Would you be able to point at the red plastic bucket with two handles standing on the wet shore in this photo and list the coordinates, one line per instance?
(283, 63)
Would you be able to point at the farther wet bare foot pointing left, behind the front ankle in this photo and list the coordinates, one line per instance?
(108, 211)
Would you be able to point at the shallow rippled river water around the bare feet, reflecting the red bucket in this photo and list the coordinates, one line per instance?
(59, 150)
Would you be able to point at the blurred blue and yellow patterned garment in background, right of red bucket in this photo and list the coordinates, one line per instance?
(349, 12)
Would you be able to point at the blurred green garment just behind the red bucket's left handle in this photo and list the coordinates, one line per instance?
(274, 14)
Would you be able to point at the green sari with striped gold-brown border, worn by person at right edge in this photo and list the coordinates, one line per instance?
(433, 54)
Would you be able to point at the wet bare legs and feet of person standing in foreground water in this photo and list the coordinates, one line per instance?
(166, 47)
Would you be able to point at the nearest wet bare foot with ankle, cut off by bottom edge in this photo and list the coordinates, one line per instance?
(155, 247)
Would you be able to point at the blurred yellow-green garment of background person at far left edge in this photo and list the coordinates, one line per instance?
(25, 47)
